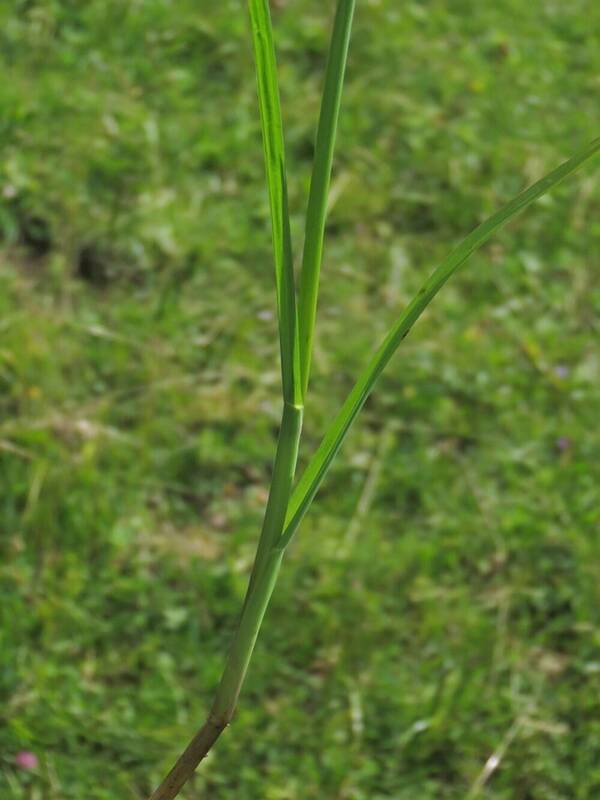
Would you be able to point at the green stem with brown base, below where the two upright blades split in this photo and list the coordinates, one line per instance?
(260, 588)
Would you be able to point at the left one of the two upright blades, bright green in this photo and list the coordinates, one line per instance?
(272, 131)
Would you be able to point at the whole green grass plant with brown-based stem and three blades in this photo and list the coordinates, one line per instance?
(296, 311)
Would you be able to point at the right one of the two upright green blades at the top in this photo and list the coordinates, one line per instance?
(319, 184)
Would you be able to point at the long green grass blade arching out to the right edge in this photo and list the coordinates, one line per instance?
(316, 470)
